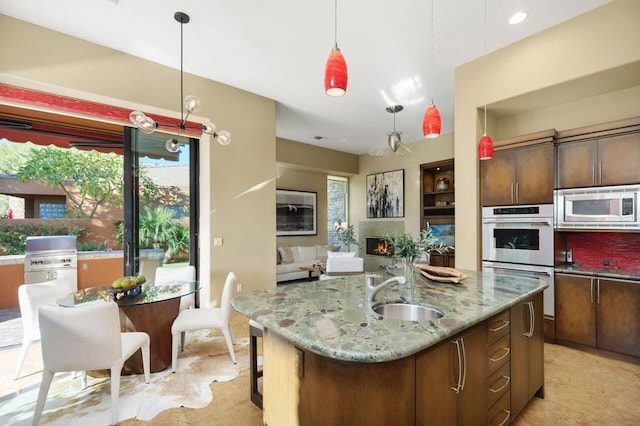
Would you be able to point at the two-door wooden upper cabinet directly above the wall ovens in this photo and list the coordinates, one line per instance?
(520, 172)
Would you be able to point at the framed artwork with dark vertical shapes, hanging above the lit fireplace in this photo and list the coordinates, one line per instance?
(385, 194)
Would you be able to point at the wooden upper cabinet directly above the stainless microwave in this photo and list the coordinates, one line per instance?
(595, 157)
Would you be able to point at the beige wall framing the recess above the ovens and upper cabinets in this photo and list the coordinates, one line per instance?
(552, 63)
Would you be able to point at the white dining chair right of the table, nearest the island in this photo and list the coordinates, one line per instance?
(205, 318)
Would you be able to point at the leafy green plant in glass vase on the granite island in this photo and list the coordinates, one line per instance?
(408, 249)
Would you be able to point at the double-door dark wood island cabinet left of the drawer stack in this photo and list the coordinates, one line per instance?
(451, 380)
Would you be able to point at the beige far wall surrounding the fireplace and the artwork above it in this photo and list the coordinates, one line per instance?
(423, 151)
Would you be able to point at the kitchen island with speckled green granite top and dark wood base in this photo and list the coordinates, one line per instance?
(330, 359)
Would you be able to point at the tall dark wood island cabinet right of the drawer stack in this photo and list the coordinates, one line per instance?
(527, 352)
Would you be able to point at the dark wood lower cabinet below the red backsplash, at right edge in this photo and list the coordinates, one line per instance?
(598, 312)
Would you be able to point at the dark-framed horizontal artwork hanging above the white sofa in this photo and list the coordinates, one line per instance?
(296, 212)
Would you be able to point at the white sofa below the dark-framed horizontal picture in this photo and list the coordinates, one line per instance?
(290, 259)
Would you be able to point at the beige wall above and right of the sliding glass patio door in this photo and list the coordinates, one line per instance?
(238, 190)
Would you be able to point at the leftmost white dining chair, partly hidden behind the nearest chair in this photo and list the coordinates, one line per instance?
(30, 298)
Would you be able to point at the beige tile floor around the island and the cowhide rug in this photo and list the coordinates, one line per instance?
(582, 388)
